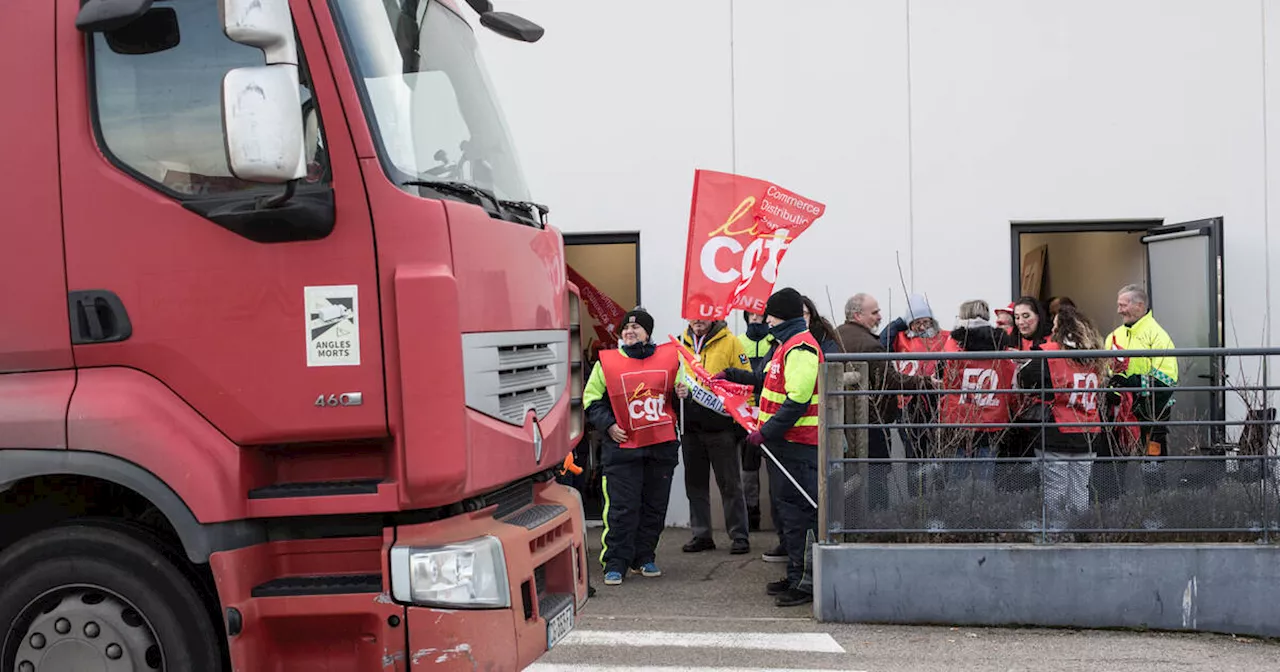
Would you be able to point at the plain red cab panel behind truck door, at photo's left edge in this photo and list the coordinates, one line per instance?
(36, 376)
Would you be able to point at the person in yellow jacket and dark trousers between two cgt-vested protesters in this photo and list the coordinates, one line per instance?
(710, 440)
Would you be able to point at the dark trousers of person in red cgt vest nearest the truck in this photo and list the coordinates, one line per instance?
(637, 490)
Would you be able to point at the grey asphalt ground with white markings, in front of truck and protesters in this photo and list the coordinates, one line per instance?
(710, 611)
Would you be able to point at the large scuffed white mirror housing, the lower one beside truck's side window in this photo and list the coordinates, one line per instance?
(263, 121)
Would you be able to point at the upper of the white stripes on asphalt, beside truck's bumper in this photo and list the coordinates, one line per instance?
(764, 642)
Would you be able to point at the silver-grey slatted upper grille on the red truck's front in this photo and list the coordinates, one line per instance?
(511, 373)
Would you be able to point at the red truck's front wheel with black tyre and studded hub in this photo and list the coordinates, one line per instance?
(100, 596)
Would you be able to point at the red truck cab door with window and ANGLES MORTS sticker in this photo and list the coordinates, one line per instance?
(176, 273)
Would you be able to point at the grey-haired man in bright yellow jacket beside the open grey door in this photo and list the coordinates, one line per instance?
(1153, 378)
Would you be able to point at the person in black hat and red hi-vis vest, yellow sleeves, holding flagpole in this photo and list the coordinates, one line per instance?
(789, 428)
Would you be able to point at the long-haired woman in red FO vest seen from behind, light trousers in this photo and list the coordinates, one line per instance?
(1068, 451)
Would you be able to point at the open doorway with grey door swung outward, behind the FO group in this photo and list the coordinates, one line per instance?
(1181, 266)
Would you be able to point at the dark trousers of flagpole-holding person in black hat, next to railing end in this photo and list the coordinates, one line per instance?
(799, 519)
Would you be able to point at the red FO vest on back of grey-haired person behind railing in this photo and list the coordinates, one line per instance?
(977, 376)
